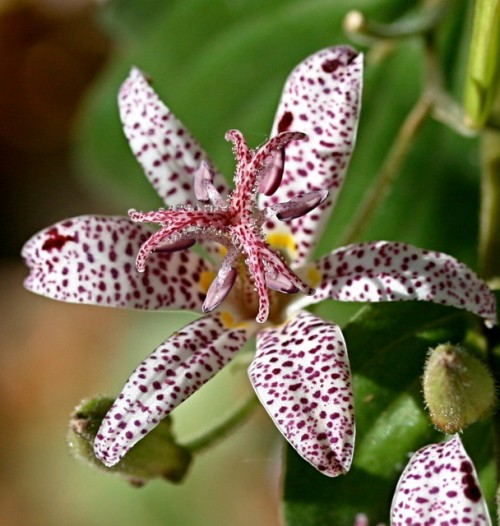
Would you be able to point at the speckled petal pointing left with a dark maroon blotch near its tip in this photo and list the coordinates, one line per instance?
(91, 259)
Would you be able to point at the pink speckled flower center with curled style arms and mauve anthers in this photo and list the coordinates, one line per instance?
(236, 223)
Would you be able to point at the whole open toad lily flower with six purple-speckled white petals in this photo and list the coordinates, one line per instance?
(260, 237)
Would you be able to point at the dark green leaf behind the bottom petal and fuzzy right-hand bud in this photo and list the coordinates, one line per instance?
(387, 345)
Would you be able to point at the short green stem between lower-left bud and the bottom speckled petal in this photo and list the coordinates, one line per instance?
(221, 429)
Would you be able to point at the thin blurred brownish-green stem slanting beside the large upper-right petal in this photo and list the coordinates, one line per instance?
(390, 169)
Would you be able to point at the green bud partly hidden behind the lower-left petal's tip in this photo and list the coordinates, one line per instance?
(156, 455)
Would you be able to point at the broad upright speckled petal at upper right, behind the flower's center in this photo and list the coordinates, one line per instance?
(321, 98)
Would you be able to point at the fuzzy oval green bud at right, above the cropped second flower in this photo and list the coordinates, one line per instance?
(458, 388)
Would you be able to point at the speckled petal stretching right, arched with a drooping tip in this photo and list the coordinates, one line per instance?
(385, 271)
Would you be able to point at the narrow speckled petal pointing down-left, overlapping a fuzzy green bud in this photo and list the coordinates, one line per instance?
(172, 373)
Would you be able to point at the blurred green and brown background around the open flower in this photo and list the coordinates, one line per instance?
(219, 64)
